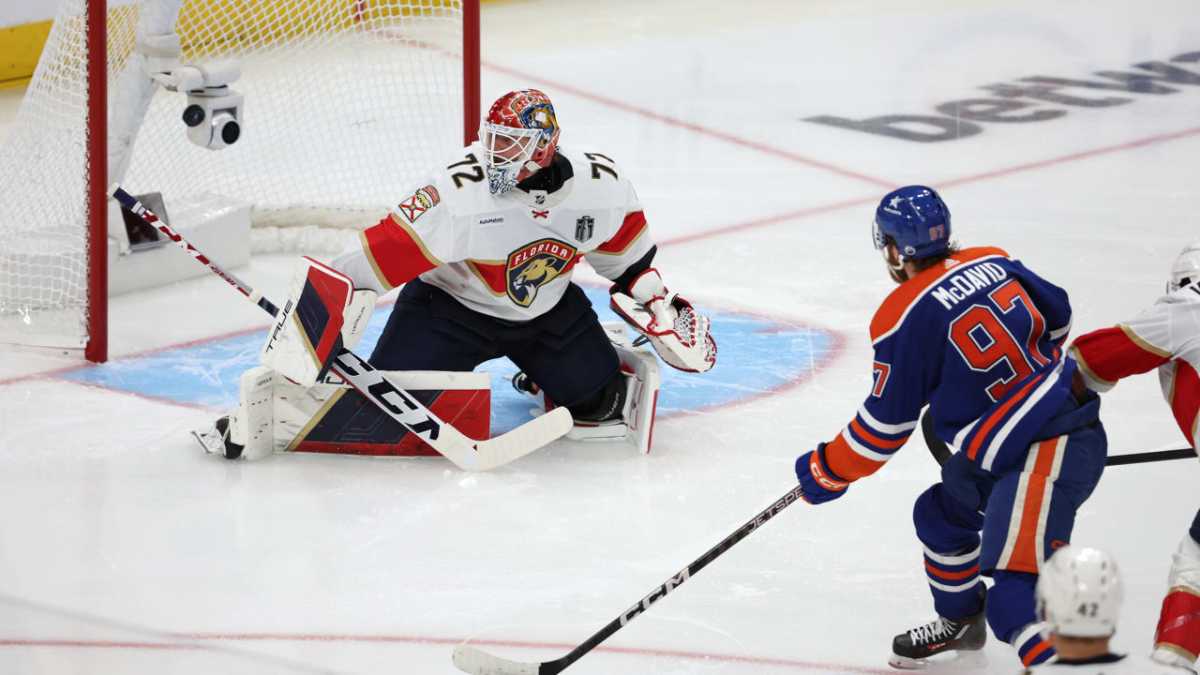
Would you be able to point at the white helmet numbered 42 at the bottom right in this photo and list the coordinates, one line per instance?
(1079, 594)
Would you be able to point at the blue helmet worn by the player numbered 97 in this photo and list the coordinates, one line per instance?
(916, 219)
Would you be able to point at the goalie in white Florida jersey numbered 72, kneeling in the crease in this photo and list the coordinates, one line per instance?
(485, 248)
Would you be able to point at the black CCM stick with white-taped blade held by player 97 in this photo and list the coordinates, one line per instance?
(478, 662)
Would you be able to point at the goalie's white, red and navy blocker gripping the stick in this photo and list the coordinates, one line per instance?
(323, 315)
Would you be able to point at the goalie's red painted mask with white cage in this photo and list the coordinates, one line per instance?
(520, 136)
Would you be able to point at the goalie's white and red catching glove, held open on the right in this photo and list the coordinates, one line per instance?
(679, 333)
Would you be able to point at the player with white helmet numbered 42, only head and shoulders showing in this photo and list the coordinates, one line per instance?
(1079, 596)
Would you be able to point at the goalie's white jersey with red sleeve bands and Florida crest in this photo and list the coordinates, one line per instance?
(509, 256)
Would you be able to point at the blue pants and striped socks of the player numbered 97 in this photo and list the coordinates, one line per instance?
(1005, 525)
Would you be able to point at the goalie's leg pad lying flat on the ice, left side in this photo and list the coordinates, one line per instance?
(278, 416)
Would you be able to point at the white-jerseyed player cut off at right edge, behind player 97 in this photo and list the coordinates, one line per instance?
(1167, 337)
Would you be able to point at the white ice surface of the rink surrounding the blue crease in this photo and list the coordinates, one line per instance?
(124, 551)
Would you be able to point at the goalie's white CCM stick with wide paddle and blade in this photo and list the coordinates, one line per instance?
(469, 455)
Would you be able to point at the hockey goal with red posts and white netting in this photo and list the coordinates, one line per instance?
(346, 104)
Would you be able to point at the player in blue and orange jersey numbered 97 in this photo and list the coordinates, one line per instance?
(977, 337)
